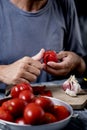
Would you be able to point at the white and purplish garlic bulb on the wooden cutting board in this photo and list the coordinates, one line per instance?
(71, 86)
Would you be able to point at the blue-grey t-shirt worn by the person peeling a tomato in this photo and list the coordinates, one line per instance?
(23, 33)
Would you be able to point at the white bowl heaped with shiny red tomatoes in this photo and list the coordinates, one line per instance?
(24, 110)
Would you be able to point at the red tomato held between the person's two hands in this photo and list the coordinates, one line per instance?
(50, 55)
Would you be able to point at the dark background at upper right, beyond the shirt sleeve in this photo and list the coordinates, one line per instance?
(81, 7)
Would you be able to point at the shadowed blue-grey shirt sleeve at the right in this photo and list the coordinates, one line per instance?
(73, 41)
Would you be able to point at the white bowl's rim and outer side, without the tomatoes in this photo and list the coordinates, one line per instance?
(5, 125)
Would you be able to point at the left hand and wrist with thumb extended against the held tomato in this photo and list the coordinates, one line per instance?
(24, 70)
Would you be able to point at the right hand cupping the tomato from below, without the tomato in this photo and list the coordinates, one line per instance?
(69, 61)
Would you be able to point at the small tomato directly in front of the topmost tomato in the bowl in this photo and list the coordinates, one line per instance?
(26, 95)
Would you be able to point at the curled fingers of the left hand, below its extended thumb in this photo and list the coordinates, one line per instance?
(31, 70)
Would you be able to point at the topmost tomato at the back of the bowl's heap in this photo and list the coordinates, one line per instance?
(20, 87)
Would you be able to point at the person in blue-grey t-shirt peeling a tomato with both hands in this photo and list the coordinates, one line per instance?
(26, 26)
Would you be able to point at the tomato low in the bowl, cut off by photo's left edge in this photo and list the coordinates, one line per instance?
(5, 115)
